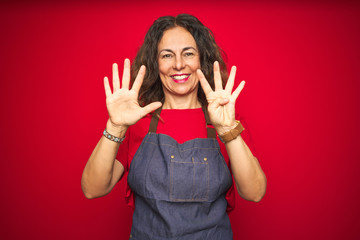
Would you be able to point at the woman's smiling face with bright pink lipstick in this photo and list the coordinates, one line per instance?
(178, 59)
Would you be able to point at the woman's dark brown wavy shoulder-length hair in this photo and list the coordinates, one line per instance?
(151, 89)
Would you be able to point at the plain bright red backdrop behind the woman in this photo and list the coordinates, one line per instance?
(301, 101)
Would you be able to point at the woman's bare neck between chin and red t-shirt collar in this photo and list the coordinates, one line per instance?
(181, 102)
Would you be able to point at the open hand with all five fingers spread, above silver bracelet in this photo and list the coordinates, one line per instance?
(122, 103)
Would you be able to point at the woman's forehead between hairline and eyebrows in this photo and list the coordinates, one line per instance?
(176, 38)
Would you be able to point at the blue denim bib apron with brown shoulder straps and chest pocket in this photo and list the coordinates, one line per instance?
(179, 188)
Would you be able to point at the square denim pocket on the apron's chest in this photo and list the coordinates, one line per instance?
(189, 180)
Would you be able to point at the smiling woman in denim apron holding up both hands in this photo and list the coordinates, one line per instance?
(164, 127)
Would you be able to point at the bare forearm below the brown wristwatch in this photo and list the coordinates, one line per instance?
(249, 178)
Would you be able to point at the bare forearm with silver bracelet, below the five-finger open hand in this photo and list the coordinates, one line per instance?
(98, 177)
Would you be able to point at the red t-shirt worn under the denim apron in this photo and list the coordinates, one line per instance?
(180, 124)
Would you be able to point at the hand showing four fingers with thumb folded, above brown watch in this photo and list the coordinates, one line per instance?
(221, 102)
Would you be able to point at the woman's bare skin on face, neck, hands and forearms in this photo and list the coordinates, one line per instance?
(177, 54)
